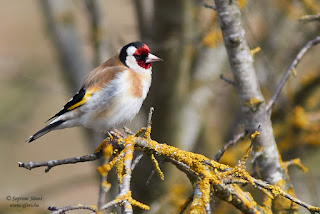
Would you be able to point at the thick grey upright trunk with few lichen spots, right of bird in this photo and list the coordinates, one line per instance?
(266, 158)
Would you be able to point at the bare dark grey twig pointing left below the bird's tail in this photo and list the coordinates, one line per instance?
(52, 163)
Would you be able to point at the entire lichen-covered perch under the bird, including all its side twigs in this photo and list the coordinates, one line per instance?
(207, 176)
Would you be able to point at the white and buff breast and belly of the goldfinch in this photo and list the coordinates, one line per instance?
(119, 101)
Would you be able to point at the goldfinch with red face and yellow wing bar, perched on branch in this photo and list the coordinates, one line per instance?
(111, 94)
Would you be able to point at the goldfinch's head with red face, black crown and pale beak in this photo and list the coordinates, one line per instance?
(137, 56)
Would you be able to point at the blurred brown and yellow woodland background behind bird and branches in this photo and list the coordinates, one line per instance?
(47, 48)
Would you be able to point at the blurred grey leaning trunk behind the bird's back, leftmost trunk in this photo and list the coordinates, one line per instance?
(60, 24)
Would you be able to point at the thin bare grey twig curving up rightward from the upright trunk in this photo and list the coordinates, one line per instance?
(293, 65)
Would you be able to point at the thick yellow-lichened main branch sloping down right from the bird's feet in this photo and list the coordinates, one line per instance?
(201, 167)
